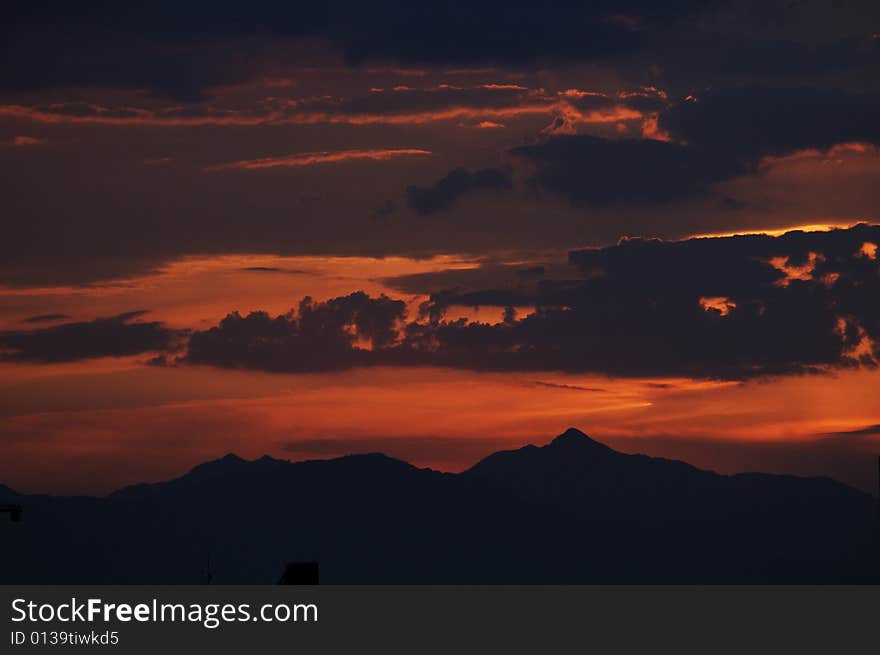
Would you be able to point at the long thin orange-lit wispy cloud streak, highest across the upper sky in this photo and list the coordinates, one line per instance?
(483, 106)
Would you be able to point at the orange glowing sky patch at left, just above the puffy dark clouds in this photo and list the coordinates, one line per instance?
(199, 291)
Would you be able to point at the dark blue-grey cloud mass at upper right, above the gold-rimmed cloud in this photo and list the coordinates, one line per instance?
(719, 135)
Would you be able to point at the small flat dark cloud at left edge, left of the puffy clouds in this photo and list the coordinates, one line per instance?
(117, 336)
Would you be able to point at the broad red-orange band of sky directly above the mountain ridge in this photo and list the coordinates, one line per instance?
(95, 430)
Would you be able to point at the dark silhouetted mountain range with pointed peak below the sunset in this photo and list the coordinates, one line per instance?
(573, 511)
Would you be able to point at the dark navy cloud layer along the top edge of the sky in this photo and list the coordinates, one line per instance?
(178, 50)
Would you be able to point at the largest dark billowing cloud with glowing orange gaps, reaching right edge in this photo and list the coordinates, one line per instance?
(730, 308)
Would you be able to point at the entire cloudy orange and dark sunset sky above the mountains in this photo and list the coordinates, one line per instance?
(436, 231)
